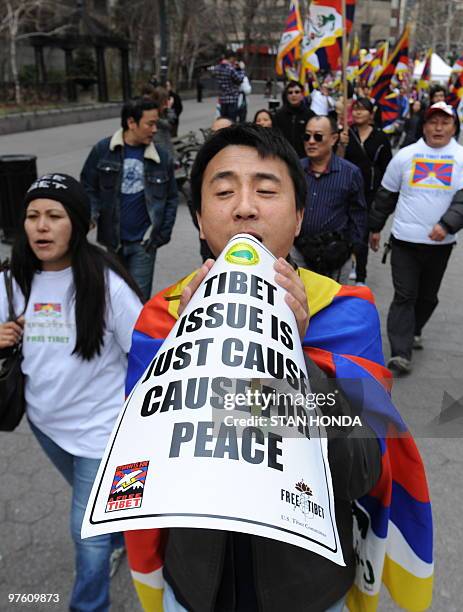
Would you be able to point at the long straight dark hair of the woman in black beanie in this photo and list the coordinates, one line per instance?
(90, 264)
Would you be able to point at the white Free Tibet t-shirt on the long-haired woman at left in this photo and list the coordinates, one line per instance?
(73, 401)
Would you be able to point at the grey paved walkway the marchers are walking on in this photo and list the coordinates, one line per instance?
(35, 550)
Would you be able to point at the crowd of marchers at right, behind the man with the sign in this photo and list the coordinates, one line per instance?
(346, 204)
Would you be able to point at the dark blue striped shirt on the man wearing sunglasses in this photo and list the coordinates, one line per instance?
(335, 201)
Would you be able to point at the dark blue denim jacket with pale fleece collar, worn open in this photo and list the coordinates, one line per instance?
(101, 177)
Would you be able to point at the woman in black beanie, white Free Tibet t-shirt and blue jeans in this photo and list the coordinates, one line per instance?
(79, 308)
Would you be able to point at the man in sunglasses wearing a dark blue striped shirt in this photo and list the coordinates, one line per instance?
(335, 215)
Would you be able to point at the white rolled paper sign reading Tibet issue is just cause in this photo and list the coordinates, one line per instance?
(196, 445)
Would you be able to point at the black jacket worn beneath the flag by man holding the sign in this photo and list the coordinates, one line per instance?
(218, 571)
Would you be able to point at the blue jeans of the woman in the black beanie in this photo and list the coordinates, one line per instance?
(91, 586)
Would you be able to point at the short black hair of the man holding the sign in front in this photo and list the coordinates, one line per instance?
(267, 142)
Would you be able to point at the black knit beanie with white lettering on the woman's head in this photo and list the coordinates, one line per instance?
(66, 190)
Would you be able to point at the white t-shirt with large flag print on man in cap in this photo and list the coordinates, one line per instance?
(427, 179)
